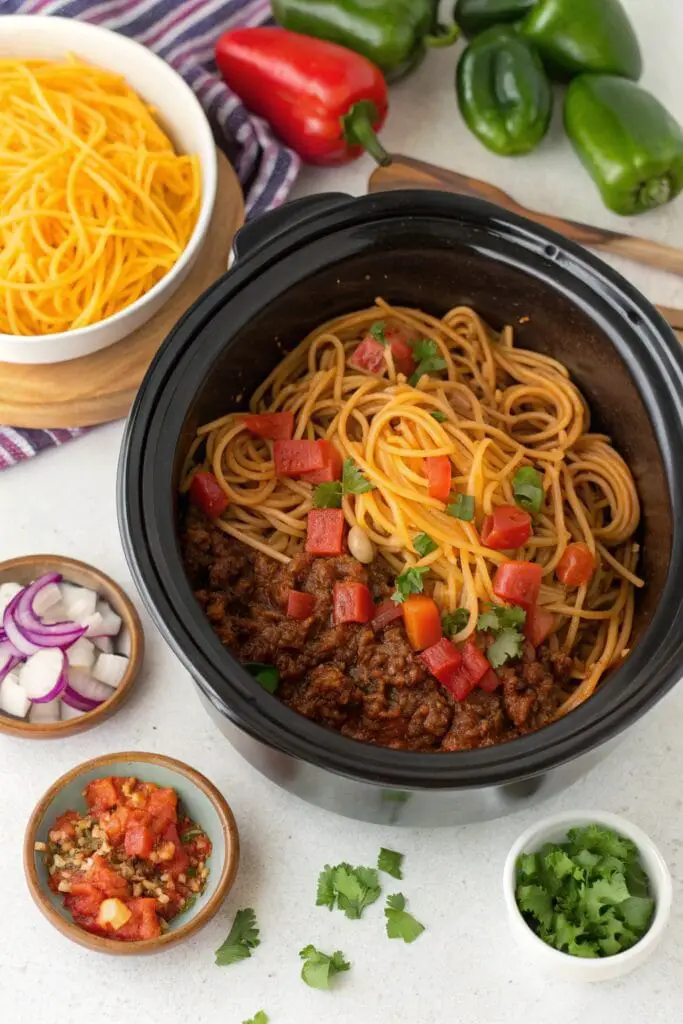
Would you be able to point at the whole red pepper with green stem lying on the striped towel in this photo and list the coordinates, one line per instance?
(324, 101)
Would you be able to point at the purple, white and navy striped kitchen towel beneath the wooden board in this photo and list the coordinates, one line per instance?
(184, 33)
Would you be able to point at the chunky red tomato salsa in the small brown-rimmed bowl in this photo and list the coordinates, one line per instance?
(131, 864)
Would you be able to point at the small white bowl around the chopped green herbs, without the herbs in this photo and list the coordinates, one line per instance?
(531, 838)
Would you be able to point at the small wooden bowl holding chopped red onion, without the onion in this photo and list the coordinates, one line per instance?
(28, 569)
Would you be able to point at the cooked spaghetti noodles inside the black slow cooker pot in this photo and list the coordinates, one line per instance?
(499, 409)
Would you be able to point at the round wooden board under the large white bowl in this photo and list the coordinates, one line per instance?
(101, 388)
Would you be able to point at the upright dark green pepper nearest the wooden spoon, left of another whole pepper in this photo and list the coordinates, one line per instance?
(504, 94)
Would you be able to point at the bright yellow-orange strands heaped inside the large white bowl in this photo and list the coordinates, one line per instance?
(96, 206)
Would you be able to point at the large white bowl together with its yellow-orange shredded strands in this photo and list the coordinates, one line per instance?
(96, 240)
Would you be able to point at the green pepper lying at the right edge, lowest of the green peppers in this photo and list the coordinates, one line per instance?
(627, 141)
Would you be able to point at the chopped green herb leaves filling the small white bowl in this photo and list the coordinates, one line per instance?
(588, 897)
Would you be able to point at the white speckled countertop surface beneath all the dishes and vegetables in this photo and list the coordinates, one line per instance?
(465, 967)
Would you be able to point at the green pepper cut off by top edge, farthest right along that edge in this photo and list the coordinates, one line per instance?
(578, 36)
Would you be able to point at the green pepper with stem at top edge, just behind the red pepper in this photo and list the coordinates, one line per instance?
(394, 34)
